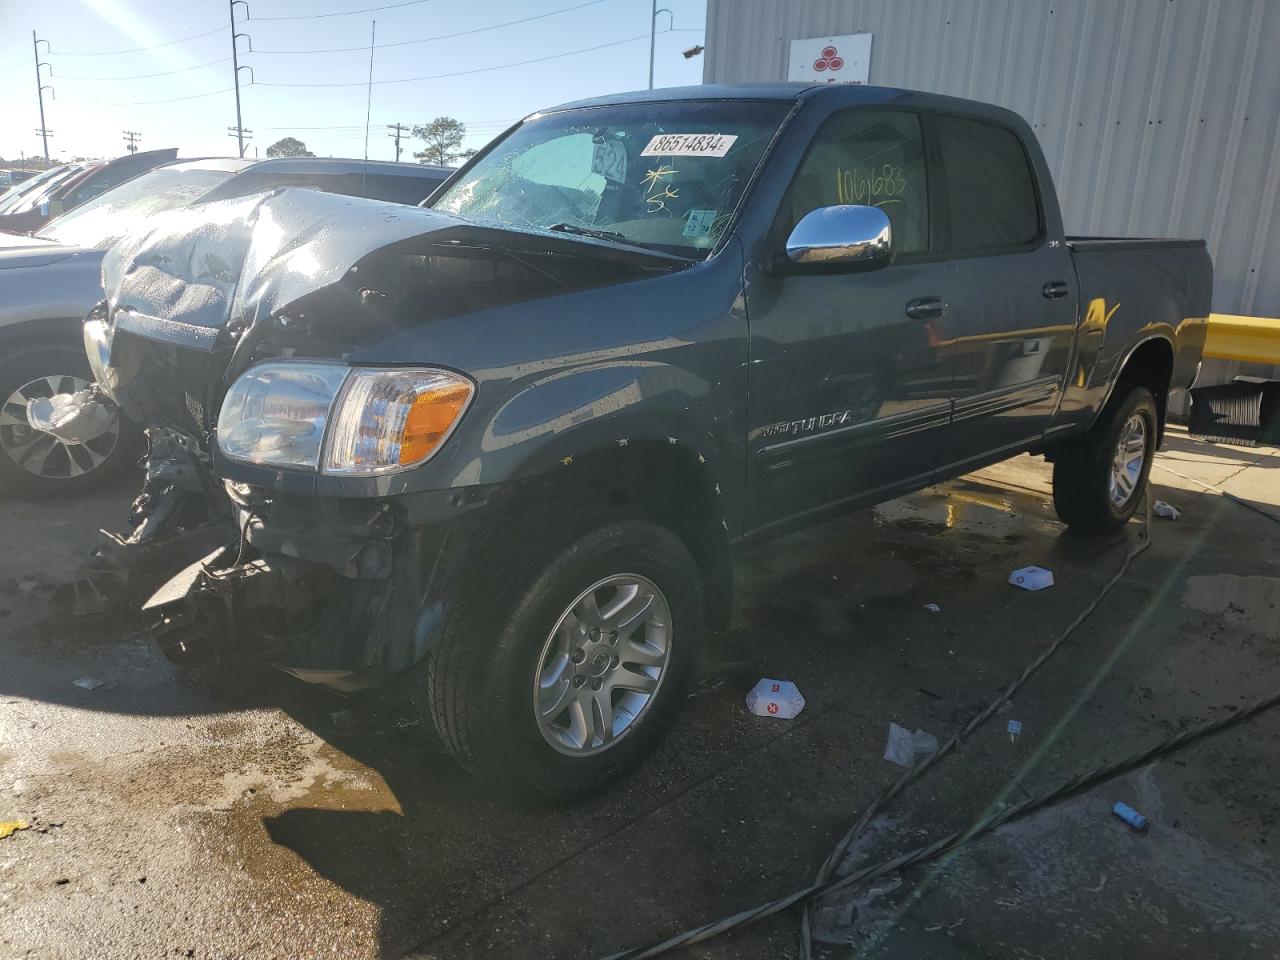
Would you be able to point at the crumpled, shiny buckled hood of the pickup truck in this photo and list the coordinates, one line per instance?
(202, 267)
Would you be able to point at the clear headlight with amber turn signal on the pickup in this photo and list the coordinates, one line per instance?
(354, 422)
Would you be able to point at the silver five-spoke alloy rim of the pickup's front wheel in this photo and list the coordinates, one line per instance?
(602, 665)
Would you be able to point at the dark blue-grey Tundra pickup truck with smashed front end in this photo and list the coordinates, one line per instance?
(508, 450)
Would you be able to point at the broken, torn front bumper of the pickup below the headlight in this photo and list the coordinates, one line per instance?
(346, 593)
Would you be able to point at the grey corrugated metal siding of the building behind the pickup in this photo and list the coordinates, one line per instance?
(1159, 118)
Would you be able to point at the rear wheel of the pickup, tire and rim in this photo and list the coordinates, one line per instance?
(1099, 482)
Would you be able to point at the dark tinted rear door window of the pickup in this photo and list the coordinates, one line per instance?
(989, 186)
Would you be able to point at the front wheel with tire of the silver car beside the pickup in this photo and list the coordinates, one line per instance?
(36, 464)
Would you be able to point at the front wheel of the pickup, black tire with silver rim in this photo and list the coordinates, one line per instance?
(569, 684)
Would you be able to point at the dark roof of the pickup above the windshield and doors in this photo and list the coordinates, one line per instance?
(842, 94)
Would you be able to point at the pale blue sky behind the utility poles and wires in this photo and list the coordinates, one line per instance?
(164, 68)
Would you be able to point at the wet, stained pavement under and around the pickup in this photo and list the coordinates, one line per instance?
(275, 821)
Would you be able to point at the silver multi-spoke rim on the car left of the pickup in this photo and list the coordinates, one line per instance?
(44, 455)
